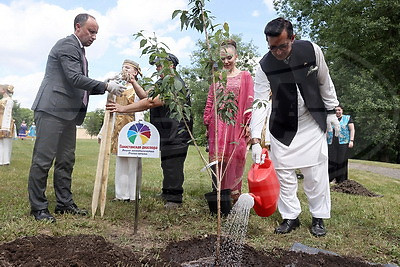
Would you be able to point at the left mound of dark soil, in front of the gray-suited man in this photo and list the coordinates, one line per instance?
(81, 250)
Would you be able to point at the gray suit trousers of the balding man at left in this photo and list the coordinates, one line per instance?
(56, 139)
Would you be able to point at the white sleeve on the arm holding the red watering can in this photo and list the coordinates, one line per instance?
(261, 104)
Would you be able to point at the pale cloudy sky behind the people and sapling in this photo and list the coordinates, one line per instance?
(29, 29)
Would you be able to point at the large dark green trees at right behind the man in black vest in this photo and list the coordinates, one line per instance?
(361, 43)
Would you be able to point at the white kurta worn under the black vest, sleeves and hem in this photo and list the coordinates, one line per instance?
(309, 147)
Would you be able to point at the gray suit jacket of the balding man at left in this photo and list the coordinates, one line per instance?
(64, 82)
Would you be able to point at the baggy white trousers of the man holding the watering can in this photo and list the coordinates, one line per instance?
(316, 188)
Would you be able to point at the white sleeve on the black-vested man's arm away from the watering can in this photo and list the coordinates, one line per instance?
(326, 86)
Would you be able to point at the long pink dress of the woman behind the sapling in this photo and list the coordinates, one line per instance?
(232, 139)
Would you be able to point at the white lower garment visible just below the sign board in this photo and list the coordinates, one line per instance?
(128, 171)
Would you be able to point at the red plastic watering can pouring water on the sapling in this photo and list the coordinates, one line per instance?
(264, 186)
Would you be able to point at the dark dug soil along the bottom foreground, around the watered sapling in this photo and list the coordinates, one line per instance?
(90, 250)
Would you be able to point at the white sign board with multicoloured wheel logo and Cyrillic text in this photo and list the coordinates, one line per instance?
(139, 139)
